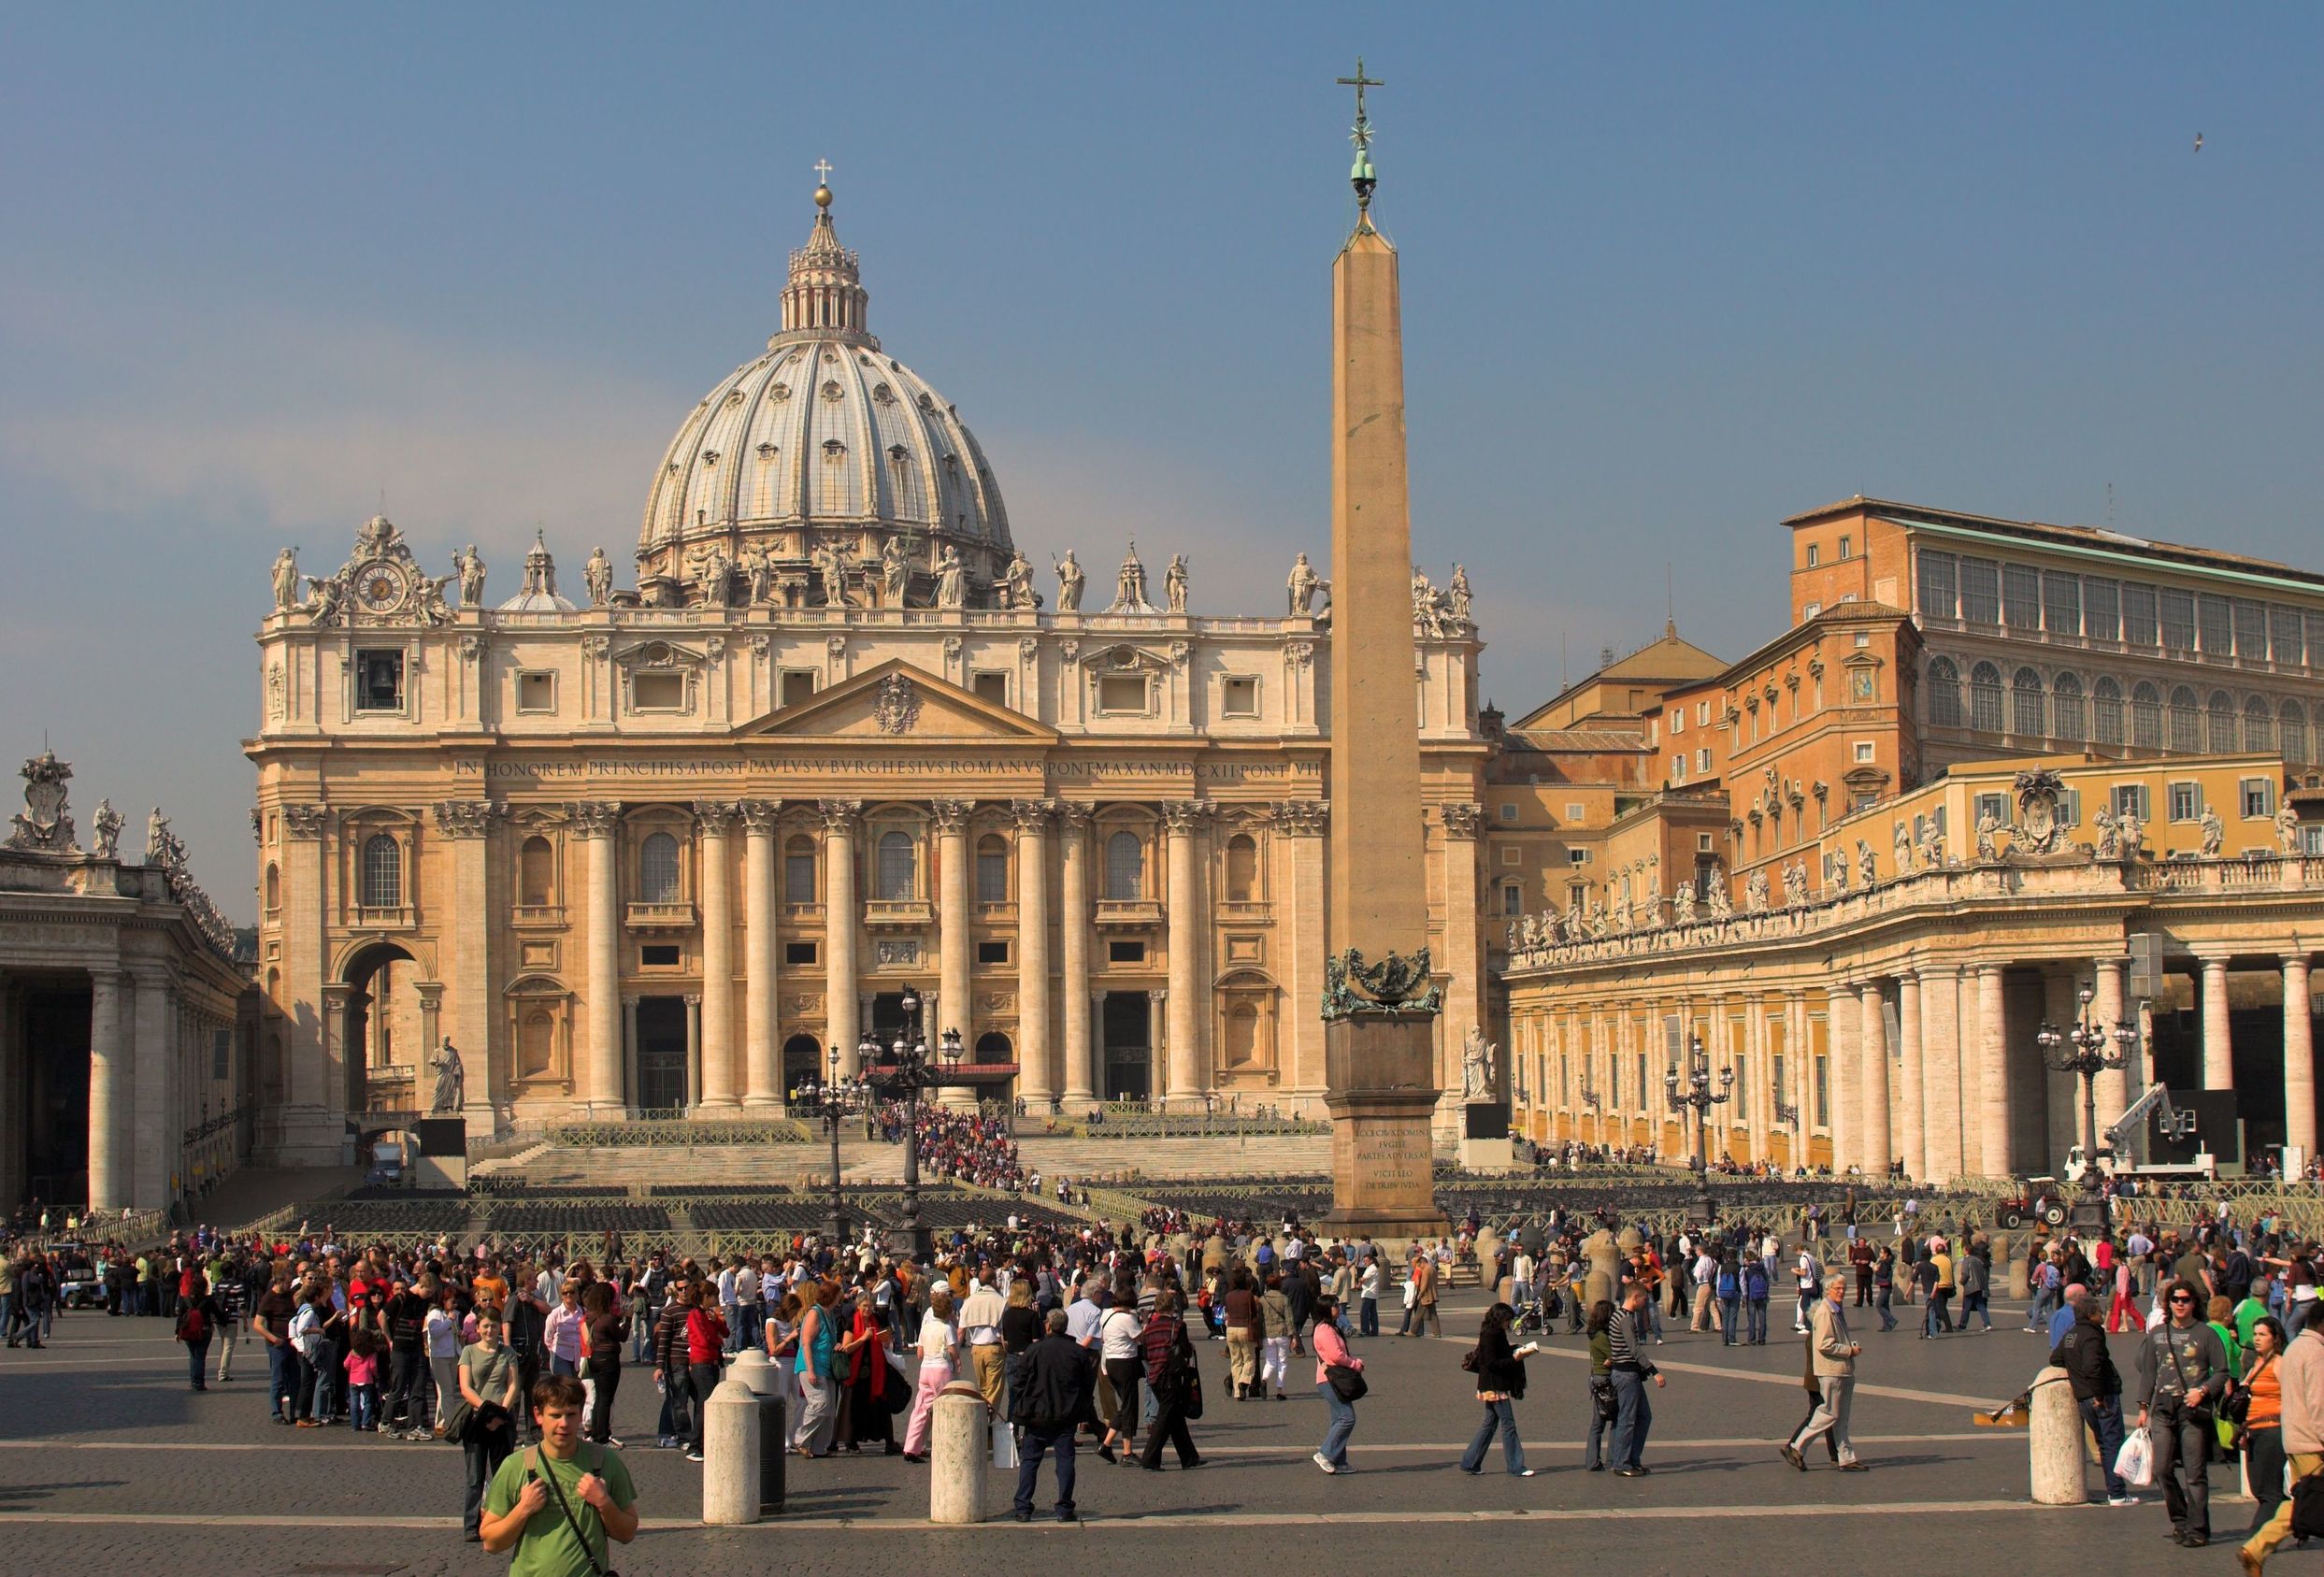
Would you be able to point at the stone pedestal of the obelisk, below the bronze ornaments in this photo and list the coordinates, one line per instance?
(1382, 1097)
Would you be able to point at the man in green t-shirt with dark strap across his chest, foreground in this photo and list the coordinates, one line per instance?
(522, 1511)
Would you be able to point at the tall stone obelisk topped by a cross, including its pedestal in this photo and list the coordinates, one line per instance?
(1379, 1044)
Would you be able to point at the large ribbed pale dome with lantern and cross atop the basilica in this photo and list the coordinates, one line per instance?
(819, 438)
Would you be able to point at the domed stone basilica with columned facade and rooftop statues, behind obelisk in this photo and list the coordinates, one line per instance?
(673, 847)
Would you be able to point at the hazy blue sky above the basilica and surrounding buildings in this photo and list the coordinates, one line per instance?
(1672, 273)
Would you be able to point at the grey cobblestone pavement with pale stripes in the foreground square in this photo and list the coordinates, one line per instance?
(108, 1462)
